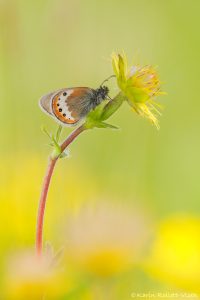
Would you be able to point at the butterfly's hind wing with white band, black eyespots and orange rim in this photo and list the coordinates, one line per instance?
(70, 105)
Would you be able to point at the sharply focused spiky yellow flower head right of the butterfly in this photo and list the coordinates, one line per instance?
(140, 86)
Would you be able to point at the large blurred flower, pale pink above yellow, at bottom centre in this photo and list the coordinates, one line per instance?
(106, 240)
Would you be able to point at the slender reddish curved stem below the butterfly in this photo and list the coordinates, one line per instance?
(45, 188)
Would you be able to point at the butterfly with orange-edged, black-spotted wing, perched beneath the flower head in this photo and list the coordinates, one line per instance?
(68, 106)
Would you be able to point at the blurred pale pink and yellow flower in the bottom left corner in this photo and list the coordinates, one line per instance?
(29, 278)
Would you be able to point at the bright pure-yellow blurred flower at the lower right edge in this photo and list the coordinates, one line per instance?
(175, 255)
